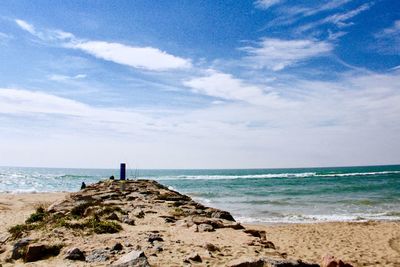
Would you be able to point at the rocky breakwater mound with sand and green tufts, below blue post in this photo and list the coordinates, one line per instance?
(137, 223)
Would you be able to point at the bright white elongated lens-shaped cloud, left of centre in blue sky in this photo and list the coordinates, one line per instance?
(138, 57)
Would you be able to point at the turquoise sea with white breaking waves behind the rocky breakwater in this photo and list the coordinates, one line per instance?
(251, 195)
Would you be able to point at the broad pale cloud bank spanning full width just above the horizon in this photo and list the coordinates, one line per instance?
(351, 121)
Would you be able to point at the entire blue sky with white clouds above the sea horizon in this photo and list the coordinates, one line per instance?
(199, 84)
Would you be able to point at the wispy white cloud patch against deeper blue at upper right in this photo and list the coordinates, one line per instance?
(276, 54)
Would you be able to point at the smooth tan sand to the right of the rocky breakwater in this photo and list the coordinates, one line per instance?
(361, 243)
